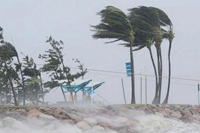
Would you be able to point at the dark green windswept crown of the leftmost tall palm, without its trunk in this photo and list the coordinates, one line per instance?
(114, 25)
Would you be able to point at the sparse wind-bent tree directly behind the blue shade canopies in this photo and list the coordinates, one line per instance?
(54, 66)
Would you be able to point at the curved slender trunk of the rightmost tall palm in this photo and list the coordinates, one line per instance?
(169, 74)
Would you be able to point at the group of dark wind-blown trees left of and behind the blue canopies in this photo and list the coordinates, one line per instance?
(21, 82)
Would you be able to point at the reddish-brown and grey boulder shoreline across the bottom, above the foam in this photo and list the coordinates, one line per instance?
(88, 119)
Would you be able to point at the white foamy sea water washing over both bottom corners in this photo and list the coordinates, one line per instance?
(145, 124)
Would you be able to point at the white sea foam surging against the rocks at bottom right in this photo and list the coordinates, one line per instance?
(159, 124)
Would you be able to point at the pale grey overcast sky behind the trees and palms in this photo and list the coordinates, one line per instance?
(27, 24)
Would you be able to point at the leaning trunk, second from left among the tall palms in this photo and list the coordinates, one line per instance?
(156, 75)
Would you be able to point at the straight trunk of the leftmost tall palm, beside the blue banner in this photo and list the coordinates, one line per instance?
(132, 76)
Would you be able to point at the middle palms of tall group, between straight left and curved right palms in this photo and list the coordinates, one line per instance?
(147, 25)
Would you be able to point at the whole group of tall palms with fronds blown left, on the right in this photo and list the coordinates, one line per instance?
(142, 27)
